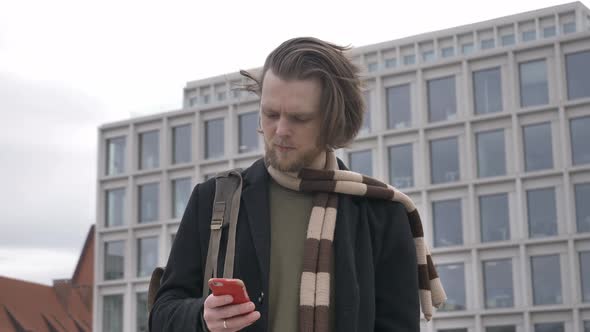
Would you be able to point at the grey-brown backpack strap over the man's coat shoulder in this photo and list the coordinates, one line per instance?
(226, 205)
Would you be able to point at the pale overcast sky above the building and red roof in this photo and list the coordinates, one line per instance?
(66, 67)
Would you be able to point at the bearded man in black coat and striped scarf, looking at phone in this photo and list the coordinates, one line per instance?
(318, 248)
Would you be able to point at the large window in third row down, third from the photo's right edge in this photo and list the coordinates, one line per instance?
(494, 217)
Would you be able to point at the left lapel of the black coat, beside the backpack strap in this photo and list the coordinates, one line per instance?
(255, 199)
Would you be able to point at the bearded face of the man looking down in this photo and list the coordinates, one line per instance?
(291, 121)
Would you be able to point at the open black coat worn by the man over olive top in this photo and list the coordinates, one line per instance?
(375, 269)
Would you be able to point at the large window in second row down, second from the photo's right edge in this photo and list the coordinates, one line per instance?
(538, 152)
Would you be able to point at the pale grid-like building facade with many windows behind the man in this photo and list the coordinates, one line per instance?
(486, 127)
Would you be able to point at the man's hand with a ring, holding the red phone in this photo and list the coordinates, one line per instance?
(218, 309)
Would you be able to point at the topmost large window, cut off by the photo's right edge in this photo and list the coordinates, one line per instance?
(577, 67)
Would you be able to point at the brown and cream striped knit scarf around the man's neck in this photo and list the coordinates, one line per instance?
(326, 184)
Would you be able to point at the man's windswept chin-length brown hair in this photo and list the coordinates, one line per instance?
(341, 100)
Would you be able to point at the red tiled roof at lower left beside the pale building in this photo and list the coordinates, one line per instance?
(66, 306)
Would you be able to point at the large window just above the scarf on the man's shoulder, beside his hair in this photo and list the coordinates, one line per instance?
(401, 166)
